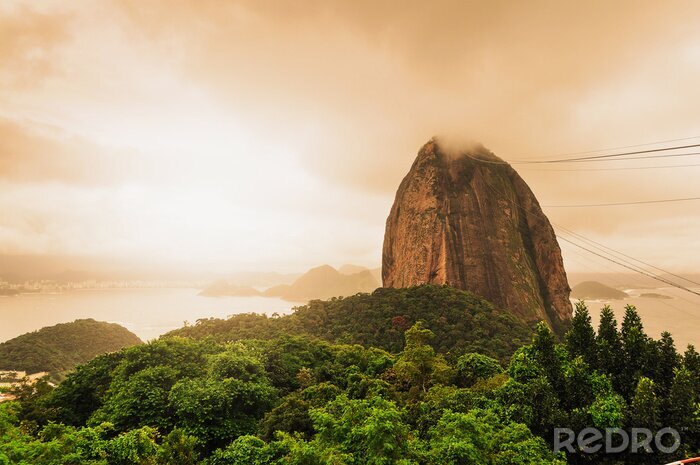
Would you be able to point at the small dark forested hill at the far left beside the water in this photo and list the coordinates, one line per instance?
(60, 348)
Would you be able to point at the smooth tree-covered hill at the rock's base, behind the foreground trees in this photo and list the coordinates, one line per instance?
(461, 321)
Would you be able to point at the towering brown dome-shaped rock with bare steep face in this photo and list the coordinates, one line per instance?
(471, 222)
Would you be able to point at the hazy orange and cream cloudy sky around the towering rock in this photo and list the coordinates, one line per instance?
(272, 135)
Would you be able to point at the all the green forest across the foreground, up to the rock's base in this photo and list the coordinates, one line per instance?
(426, 375)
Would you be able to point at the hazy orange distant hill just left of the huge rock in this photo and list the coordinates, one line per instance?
(324, 282)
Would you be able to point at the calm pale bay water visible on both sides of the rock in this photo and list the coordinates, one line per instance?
(152, 312)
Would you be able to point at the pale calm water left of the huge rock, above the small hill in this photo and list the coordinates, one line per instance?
(146, 312)
